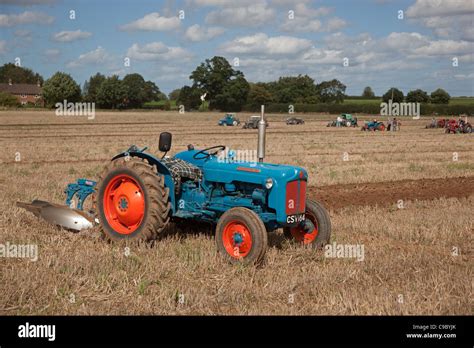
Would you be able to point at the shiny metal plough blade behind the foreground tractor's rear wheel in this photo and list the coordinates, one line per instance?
(61, 215)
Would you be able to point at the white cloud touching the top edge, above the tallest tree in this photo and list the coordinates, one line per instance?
(252, 15)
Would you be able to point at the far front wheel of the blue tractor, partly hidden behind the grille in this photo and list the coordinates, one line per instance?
(321, 220)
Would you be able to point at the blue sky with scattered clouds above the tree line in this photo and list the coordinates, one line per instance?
(267, 38)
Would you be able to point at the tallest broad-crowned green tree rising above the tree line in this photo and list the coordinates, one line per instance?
(218, 79)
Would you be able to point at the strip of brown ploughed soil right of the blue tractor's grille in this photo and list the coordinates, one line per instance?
(388, 193)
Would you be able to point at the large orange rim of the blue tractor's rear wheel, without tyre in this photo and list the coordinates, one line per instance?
(124, 204)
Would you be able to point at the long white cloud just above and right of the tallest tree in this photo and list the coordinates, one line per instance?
(260, 43)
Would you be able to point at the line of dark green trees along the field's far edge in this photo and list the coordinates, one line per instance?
(214, 82)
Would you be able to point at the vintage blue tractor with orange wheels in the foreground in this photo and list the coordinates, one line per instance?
(139, 194)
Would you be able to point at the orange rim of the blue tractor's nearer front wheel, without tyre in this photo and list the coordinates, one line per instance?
(237, 239)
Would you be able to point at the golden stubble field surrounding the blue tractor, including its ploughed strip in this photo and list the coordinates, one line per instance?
(407, 197)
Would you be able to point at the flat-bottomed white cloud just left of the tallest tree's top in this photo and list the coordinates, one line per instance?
(158, 51)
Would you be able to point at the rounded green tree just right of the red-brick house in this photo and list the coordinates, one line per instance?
(60, 87)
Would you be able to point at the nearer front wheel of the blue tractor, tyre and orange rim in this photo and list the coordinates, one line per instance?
(241, 236)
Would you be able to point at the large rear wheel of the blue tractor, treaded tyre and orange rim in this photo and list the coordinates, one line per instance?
(132, 201)
